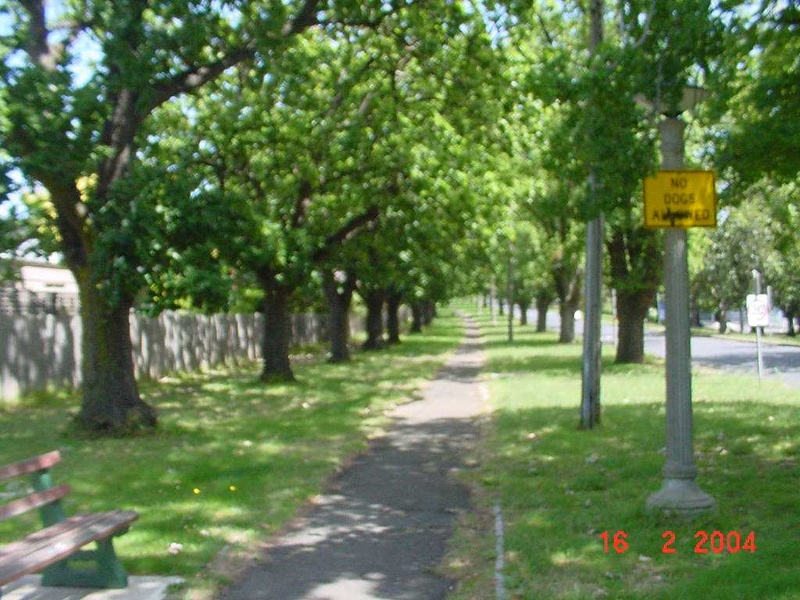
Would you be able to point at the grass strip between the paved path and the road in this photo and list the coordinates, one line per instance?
(561, 488)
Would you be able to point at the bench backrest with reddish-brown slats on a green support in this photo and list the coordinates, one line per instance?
(45, 496)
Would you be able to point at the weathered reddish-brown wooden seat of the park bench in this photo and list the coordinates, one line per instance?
(59, 541)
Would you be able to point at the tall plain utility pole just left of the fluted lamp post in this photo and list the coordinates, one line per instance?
(593, 283)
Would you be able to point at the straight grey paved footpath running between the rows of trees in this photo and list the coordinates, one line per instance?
(382, 528)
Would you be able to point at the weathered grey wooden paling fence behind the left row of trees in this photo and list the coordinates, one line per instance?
(40, 351)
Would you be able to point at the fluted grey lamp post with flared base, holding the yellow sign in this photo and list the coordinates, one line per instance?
(679, 492)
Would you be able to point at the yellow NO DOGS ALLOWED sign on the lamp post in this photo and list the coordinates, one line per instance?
(680, 199)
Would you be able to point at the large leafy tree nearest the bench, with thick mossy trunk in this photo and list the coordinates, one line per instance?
(70, 118)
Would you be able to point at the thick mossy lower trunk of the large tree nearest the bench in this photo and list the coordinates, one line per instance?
(111, 403)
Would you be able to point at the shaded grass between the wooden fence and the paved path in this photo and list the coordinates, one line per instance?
(233, 459)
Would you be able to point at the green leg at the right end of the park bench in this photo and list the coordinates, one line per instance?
(108, 572)
